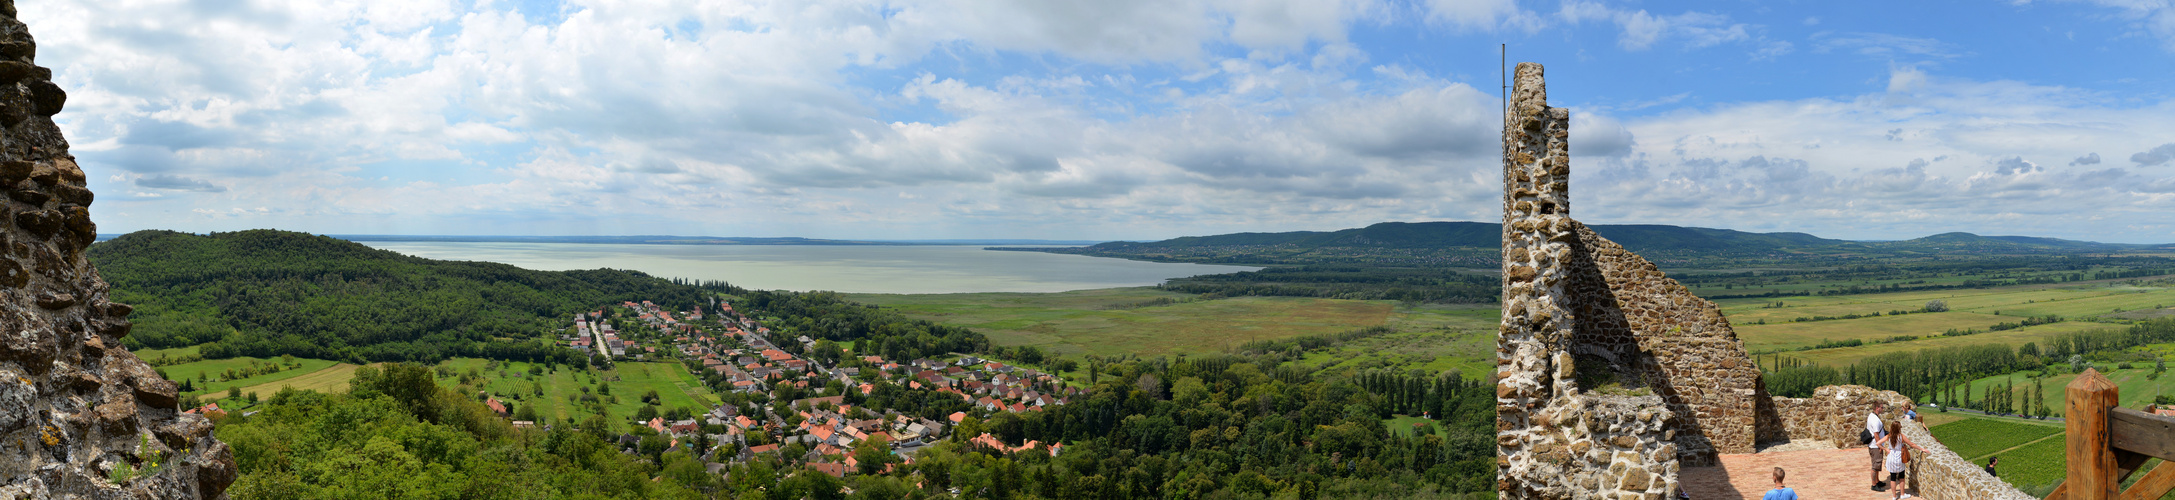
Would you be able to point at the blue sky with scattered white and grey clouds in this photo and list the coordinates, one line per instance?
(1110, 118)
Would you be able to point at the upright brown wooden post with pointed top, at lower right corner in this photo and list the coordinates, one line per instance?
(2091, 455)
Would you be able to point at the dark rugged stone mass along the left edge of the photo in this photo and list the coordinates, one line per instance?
(77, 410)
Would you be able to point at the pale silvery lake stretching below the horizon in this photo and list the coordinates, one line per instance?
(838, 268)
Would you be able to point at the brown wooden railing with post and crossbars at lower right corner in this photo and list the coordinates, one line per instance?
(2109, 442)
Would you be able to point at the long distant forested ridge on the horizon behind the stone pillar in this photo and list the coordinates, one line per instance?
(1474, 245)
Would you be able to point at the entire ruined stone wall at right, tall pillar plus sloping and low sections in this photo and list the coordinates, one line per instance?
(1611, 377)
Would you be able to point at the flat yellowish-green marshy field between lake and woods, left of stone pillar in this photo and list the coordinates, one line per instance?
(1086, 323)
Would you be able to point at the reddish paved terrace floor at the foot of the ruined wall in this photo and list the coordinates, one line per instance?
(1813, 473)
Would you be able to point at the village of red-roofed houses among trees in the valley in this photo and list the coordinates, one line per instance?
(815, 410)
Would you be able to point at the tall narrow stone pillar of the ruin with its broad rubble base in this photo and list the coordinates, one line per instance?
(1554, 440)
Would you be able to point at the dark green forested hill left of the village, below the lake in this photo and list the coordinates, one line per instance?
(277, 292)
